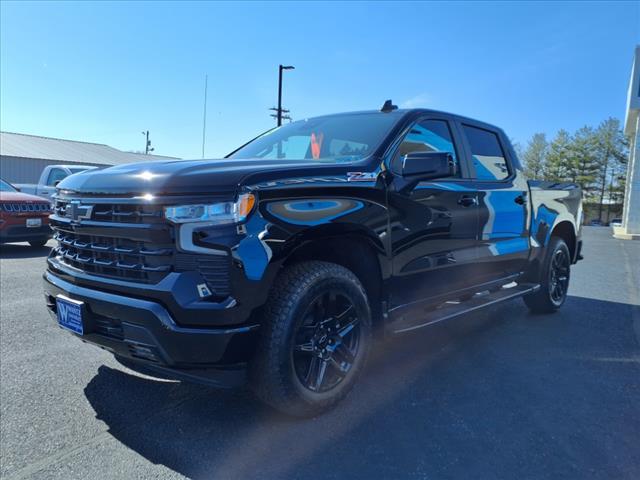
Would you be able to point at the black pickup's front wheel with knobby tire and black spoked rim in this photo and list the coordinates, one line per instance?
(314, 341)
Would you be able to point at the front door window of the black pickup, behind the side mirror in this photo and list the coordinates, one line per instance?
(428, 136)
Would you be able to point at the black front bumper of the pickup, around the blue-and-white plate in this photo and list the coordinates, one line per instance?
(143, 331)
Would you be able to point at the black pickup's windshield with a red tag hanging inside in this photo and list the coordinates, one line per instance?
(334, 138)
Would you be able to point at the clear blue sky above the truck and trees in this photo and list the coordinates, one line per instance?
(103, 72)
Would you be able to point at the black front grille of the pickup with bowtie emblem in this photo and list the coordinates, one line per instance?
(131, 242)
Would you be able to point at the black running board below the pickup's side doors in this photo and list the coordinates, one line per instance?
(452, 309)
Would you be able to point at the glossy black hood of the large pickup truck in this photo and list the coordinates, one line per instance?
(183, 177)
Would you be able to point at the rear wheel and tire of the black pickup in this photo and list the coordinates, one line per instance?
(554, 279)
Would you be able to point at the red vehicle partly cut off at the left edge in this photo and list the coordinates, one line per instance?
(23, 217)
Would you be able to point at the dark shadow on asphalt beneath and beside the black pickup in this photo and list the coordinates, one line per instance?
(502, 394)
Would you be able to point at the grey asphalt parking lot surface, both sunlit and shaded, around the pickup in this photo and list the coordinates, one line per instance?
(497, 394)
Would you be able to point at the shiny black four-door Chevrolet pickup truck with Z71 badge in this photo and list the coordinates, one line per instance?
(281, 263)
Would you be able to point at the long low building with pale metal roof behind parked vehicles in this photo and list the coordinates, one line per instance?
(23, 157)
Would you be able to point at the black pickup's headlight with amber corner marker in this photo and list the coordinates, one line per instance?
(220, 213)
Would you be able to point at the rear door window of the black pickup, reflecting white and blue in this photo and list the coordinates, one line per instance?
(488, 158)
